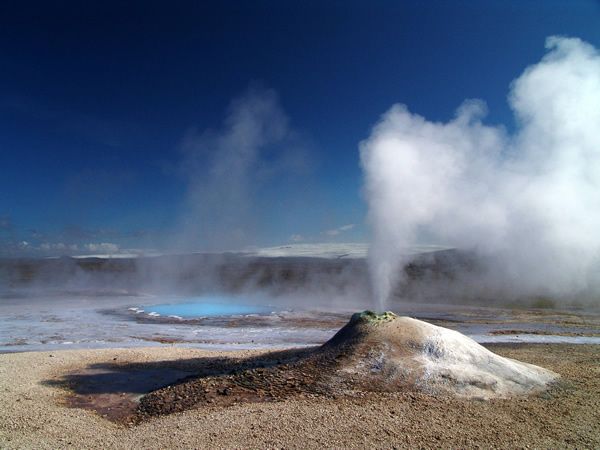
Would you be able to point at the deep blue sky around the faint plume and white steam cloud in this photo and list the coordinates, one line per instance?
(97, 100)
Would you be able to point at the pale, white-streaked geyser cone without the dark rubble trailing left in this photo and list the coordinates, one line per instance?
(384, 352)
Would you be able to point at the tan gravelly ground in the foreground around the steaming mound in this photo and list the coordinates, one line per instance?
(33, 414)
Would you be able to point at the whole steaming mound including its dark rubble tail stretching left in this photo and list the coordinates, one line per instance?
(373, 352)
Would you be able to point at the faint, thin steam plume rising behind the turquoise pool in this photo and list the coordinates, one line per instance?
(225, 168)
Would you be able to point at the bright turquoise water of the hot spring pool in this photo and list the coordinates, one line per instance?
(210, 306)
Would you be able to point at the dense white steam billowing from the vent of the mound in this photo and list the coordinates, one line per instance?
(528, 203)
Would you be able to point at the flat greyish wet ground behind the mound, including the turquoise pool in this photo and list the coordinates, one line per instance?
(34, 322)
